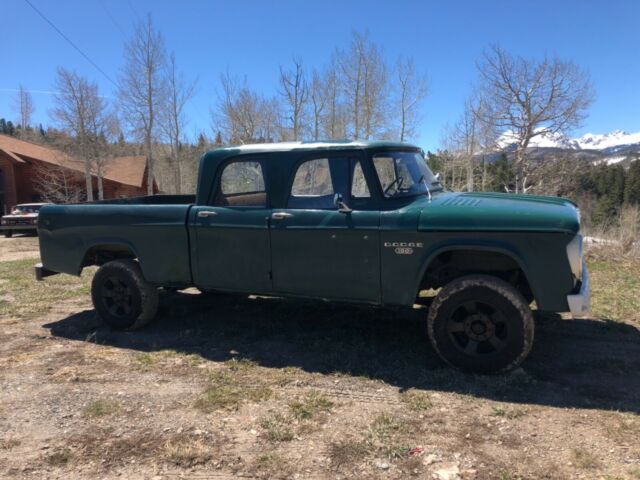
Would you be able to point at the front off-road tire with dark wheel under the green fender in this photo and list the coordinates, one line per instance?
(473, 307)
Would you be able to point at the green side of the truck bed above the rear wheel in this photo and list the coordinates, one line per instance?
(153, 229)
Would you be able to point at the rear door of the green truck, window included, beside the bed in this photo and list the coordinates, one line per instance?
(230, 235)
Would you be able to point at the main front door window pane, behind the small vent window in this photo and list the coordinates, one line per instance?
(312, 186)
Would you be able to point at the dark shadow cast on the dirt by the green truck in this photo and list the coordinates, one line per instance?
(574, 363)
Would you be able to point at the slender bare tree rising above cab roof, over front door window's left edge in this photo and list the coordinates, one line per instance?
(295, 93)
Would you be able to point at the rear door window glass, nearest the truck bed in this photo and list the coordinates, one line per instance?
(242, 185)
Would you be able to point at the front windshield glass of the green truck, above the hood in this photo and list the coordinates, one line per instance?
(404, 174)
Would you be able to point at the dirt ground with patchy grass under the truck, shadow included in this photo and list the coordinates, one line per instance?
(224, 386)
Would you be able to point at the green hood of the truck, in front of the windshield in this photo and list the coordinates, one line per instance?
(501, 212)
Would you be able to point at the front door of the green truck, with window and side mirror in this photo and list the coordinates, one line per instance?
(319, 251)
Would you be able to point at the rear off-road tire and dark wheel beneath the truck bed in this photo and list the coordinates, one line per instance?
(137, 301)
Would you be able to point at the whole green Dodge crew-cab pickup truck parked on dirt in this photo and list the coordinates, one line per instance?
(364, 222)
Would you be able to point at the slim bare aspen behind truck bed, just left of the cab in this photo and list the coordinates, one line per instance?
(172, 117)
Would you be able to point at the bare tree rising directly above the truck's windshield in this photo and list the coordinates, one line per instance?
(412, 90)
